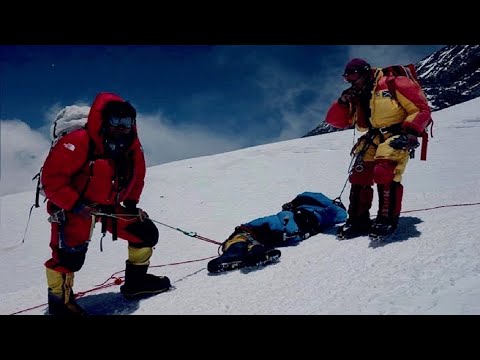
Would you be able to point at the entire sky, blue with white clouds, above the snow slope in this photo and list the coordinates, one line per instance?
(192, 100)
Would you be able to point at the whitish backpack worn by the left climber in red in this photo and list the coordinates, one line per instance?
(67, 120)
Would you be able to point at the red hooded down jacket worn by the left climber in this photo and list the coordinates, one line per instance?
(67, 173)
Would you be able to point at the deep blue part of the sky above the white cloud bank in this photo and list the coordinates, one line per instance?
(226, 87)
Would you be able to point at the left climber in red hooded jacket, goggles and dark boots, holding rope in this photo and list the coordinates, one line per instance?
(91, 175)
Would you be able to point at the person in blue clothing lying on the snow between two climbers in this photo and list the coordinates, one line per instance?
(253, 243)
